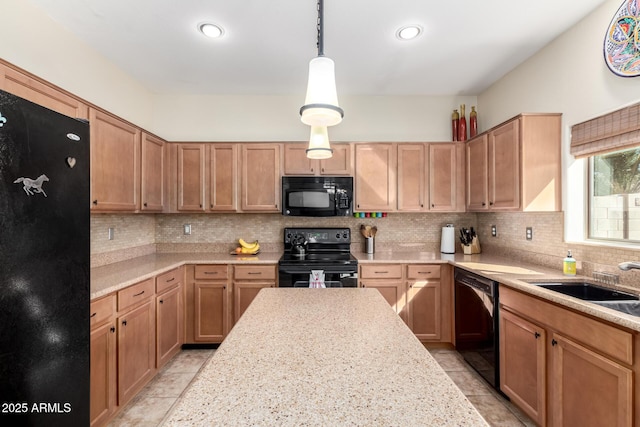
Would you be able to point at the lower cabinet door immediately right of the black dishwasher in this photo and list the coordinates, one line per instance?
(523, 364)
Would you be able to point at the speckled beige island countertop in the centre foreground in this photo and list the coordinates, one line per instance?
(322, 357)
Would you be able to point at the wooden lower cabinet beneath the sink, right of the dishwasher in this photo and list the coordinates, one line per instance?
(563, 368)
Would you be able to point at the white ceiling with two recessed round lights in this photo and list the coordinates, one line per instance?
(466, 46)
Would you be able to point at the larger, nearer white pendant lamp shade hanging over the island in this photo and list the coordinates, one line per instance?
(321, 103)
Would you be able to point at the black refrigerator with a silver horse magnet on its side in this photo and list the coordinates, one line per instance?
(44, 279)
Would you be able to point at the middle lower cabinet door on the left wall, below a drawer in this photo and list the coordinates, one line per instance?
(136, 350)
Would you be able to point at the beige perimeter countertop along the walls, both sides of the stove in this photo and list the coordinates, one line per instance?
(112, 277)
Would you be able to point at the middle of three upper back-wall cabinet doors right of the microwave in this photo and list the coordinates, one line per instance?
(412, 181)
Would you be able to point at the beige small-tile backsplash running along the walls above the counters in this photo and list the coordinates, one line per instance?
(136, 235)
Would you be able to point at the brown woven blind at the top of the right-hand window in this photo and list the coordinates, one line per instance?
(615, 131)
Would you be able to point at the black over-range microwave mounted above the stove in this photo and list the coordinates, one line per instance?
(317, 195)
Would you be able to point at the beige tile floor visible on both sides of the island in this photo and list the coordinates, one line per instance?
(152, 404)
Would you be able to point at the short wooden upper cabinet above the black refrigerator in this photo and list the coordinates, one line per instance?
(34, 90)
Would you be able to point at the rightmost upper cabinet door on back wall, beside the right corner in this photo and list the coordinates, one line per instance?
(444, 166)
